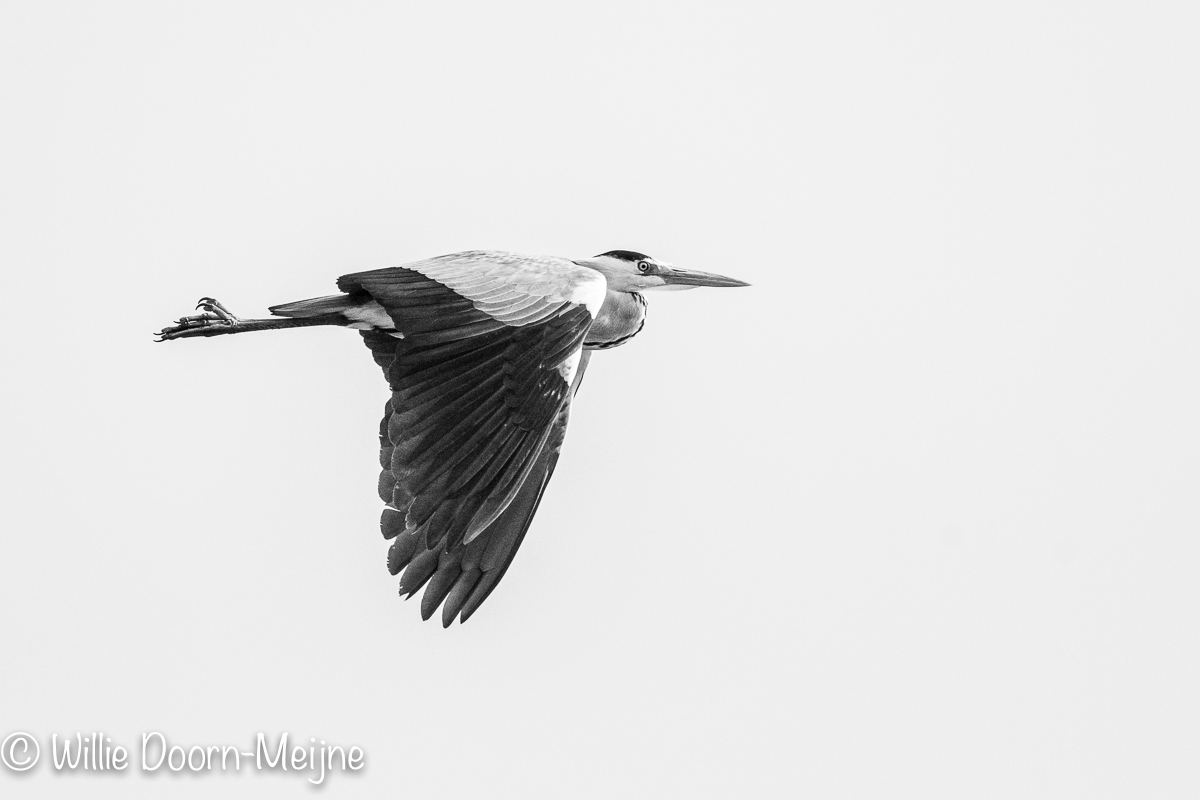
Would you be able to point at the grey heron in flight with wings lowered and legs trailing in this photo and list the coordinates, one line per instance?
(484, 352)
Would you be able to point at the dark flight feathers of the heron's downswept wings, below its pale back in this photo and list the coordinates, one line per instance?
(473, 429)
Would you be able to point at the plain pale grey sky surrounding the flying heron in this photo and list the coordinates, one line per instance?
(916, 516)
